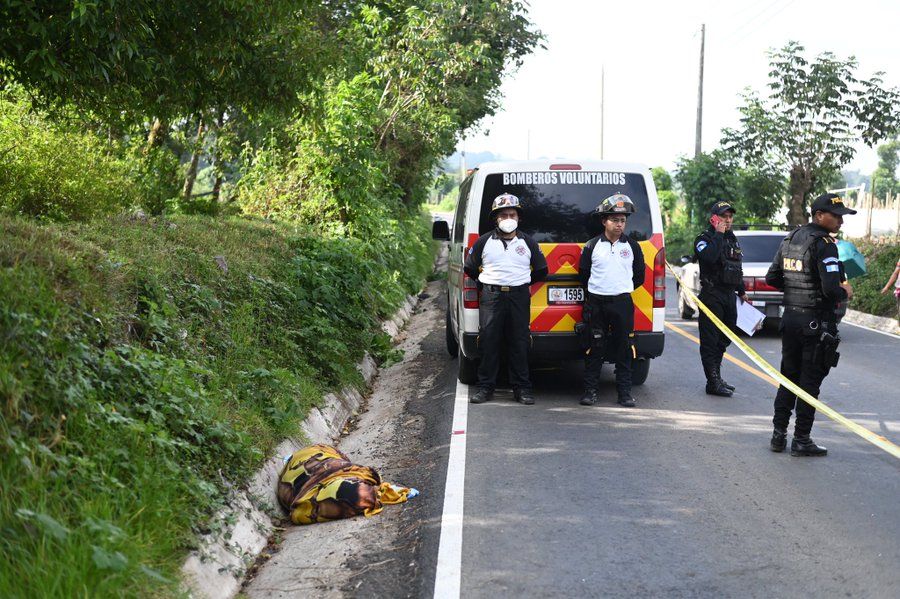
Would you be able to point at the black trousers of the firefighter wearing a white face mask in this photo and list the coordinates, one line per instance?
(504, 319)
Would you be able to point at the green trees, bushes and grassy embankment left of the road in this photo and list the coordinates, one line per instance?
(282, 151)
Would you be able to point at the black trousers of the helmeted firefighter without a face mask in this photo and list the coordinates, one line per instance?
(615, 317)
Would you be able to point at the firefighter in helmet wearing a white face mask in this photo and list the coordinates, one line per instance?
(505, 262)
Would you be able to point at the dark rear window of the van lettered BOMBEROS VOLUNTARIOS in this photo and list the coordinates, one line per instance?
(556, 205)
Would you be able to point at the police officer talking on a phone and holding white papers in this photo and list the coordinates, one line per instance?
(721, 279)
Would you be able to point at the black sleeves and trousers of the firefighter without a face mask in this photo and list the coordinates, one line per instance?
(611, 321)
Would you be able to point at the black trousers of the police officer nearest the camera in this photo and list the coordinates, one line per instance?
(798, 344)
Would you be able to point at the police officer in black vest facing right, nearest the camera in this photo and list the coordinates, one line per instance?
(807, 268)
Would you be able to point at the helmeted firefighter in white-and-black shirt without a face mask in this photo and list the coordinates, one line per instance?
(611, 267)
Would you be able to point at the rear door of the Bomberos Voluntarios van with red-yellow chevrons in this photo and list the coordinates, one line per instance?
(556, 212)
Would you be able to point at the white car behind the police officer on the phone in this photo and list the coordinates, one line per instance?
(758, 248)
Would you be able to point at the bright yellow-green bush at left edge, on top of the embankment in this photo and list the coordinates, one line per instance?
(56, 171)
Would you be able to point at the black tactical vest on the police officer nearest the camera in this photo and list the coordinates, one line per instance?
(802, 287)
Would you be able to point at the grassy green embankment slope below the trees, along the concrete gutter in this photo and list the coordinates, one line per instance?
(146, 363)
